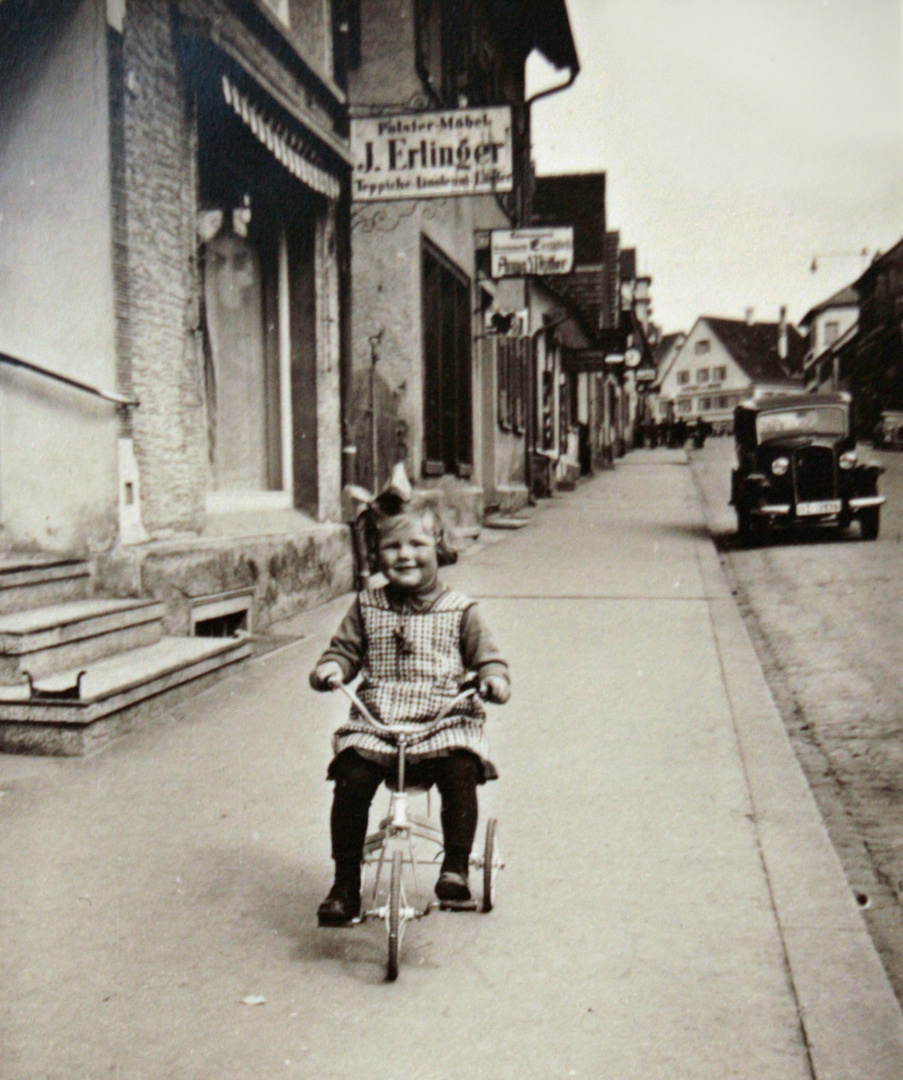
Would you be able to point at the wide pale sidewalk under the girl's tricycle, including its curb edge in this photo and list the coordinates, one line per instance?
(671, 909)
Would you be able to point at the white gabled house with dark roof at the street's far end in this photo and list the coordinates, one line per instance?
(726, 361)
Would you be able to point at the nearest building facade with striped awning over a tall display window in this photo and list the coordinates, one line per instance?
(185, 268)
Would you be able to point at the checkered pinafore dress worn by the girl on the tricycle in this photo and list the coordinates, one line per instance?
(413, 667)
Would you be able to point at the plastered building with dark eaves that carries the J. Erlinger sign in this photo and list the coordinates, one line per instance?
(434, 384)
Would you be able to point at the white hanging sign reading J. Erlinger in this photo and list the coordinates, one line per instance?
(433, 155)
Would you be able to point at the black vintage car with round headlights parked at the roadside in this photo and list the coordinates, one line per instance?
(798, 465)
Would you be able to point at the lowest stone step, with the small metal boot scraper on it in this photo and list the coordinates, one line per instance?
(116, 695)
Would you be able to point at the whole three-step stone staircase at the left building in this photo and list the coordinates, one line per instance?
(77, 671)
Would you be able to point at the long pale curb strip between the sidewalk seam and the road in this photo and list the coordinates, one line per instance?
(851, 1019)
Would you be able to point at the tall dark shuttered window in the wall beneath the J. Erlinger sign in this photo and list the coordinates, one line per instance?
(448, 408)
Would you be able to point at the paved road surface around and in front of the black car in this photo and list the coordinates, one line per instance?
(826, 614)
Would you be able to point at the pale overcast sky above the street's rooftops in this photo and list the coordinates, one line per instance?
(740, 140)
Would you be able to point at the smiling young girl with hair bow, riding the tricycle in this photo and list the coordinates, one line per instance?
(413, 642)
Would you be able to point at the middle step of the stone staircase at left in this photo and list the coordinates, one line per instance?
(57, 637)
